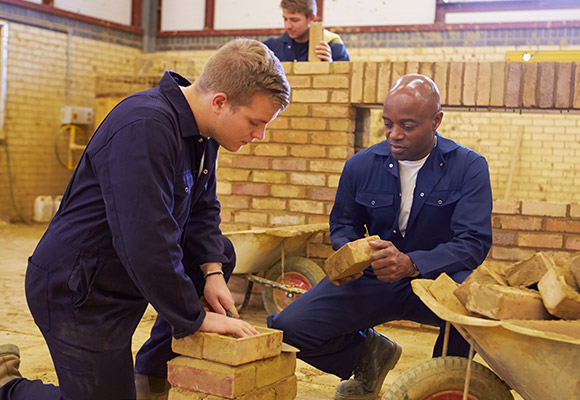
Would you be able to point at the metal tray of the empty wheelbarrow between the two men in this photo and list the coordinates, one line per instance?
(259, 249)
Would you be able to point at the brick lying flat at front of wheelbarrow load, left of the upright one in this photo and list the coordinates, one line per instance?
(503, 302)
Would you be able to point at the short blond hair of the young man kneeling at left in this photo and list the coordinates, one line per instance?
(243, 68)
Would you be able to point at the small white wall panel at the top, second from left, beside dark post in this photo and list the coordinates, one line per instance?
(182, 15)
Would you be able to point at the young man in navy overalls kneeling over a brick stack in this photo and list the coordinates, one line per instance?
(139, 224)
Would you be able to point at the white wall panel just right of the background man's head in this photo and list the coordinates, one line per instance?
(378, 12)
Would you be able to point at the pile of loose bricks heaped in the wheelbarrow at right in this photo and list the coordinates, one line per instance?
(537, 288)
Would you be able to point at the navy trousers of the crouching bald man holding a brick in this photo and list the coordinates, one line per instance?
(326, 322)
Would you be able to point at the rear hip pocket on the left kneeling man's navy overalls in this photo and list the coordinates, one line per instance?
(36, 285)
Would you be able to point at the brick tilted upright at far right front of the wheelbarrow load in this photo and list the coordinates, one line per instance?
(559, 297)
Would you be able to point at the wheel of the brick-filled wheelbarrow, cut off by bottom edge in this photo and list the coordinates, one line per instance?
(443, 378)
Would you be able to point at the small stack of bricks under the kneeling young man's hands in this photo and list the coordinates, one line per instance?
(216, 367)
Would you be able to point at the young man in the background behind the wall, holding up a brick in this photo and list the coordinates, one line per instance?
(293, 44)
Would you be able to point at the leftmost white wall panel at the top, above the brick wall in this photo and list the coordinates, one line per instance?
(110, 10)
